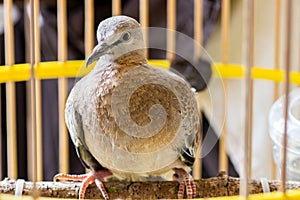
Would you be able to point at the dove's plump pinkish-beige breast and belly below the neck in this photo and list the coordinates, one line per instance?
(140, 115)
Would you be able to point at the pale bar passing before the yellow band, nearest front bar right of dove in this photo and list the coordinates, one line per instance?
(248, 63)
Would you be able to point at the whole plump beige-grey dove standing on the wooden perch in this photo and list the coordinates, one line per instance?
(130, 120)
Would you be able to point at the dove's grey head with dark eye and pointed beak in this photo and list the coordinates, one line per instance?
(118, 37)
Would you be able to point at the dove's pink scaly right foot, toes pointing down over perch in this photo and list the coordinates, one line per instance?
(185, 181)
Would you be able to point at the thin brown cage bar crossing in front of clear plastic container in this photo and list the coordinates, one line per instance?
(287, 68)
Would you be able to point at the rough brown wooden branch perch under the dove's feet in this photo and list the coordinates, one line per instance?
(221, 185)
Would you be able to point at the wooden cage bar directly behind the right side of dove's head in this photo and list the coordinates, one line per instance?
(144, 20)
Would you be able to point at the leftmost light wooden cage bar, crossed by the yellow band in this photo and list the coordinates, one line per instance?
(10, 93)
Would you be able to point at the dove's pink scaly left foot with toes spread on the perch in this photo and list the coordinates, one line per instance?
(87, 179)
